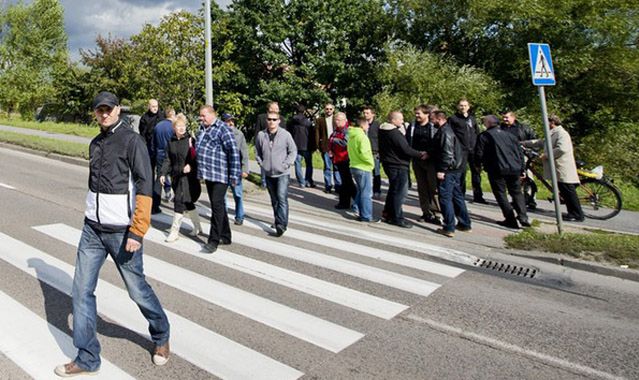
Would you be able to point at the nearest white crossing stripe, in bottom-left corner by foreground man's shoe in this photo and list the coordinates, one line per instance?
(37, 346)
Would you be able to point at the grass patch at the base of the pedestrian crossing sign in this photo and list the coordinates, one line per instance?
(595, 245)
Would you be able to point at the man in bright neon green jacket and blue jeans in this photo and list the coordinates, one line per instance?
(361, 164)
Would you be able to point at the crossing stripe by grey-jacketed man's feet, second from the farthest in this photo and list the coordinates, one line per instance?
(362, 250)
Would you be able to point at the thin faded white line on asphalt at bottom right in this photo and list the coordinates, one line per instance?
(504, 346)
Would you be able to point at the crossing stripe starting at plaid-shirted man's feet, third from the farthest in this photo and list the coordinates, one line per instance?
(366, 272)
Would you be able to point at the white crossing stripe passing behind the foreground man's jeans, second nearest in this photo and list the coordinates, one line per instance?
(210, 351)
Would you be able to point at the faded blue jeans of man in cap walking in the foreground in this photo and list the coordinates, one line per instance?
(92, 252)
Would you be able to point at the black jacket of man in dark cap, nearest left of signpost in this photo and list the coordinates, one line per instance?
(499, 152)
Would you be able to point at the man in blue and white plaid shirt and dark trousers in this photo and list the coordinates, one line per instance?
(218, 162)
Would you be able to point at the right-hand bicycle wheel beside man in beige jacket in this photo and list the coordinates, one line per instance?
(599, 199)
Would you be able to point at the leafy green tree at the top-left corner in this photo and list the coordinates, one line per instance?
(33, 46)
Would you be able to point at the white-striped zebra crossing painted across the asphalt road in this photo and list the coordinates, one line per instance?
(201, 345)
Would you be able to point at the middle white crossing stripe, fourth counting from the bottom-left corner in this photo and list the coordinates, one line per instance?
(341, 295)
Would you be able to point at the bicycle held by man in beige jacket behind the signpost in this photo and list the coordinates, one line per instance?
(599, 198)
